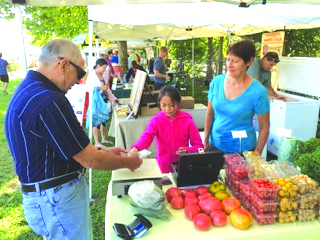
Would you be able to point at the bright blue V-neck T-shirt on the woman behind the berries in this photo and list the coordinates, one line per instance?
(236, 115)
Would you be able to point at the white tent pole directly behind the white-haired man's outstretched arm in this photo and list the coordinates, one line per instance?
(90, 66)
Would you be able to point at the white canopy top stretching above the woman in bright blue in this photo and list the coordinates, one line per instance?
(203, 19)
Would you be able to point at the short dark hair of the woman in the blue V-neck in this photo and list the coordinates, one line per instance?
(244, 49)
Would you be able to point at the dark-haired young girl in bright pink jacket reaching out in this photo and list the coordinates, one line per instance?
(173, 130)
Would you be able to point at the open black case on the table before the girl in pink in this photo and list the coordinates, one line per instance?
(198, 168)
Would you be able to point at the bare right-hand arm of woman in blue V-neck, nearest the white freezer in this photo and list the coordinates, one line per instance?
(264, 125)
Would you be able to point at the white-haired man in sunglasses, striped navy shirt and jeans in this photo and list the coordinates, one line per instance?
(50, 149)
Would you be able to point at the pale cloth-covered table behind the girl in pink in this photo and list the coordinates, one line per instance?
(127, 131)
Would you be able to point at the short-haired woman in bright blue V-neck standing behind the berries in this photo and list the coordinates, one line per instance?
(233, 99)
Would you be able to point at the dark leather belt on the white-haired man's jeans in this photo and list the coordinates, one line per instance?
(50, 184)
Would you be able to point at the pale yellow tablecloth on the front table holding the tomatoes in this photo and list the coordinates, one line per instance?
(119, 210)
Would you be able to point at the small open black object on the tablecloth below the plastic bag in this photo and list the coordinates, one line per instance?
(135, 229)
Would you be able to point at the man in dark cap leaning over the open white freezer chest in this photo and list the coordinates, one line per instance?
(261, 70)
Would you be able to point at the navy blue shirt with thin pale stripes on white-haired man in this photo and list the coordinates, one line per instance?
(42, 130)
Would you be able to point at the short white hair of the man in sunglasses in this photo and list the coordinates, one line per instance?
(59, 48)
